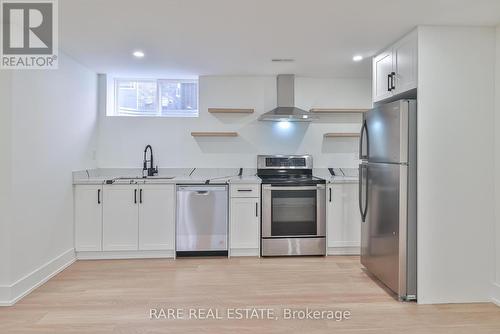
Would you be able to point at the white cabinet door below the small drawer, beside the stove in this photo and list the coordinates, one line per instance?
(245, 214)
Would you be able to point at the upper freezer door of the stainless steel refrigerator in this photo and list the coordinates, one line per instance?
(387, 132)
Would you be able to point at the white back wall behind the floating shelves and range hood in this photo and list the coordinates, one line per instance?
(122, 140)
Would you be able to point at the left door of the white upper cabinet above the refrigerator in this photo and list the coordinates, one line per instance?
(382, 68)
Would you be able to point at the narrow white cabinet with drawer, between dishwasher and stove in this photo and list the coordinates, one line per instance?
(245, 219)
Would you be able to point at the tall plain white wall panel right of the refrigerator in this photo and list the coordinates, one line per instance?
(455, 173)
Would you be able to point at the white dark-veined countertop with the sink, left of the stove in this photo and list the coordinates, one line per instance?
(165, 176)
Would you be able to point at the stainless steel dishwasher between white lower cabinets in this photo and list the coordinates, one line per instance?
(202, 220)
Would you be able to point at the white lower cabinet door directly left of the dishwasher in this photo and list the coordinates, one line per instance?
(156, 217)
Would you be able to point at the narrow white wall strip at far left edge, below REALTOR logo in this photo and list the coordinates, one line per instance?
(5, 176)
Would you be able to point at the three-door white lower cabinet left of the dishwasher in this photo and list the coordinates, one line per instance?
(115, 218)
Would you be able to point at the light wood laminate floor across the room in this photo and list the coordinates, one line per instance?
(115, 296)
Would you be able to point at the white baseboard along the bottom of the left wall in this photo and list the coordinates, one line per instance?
(11, 294)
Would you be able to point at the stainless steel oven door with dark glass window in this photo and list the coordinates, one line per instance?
(293, 211)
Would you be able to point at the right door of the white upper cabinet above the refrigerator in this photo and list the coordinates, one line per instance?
(405, 63)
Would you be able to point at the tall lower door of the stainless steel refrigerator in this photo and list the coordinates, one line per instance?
(383, 239)
